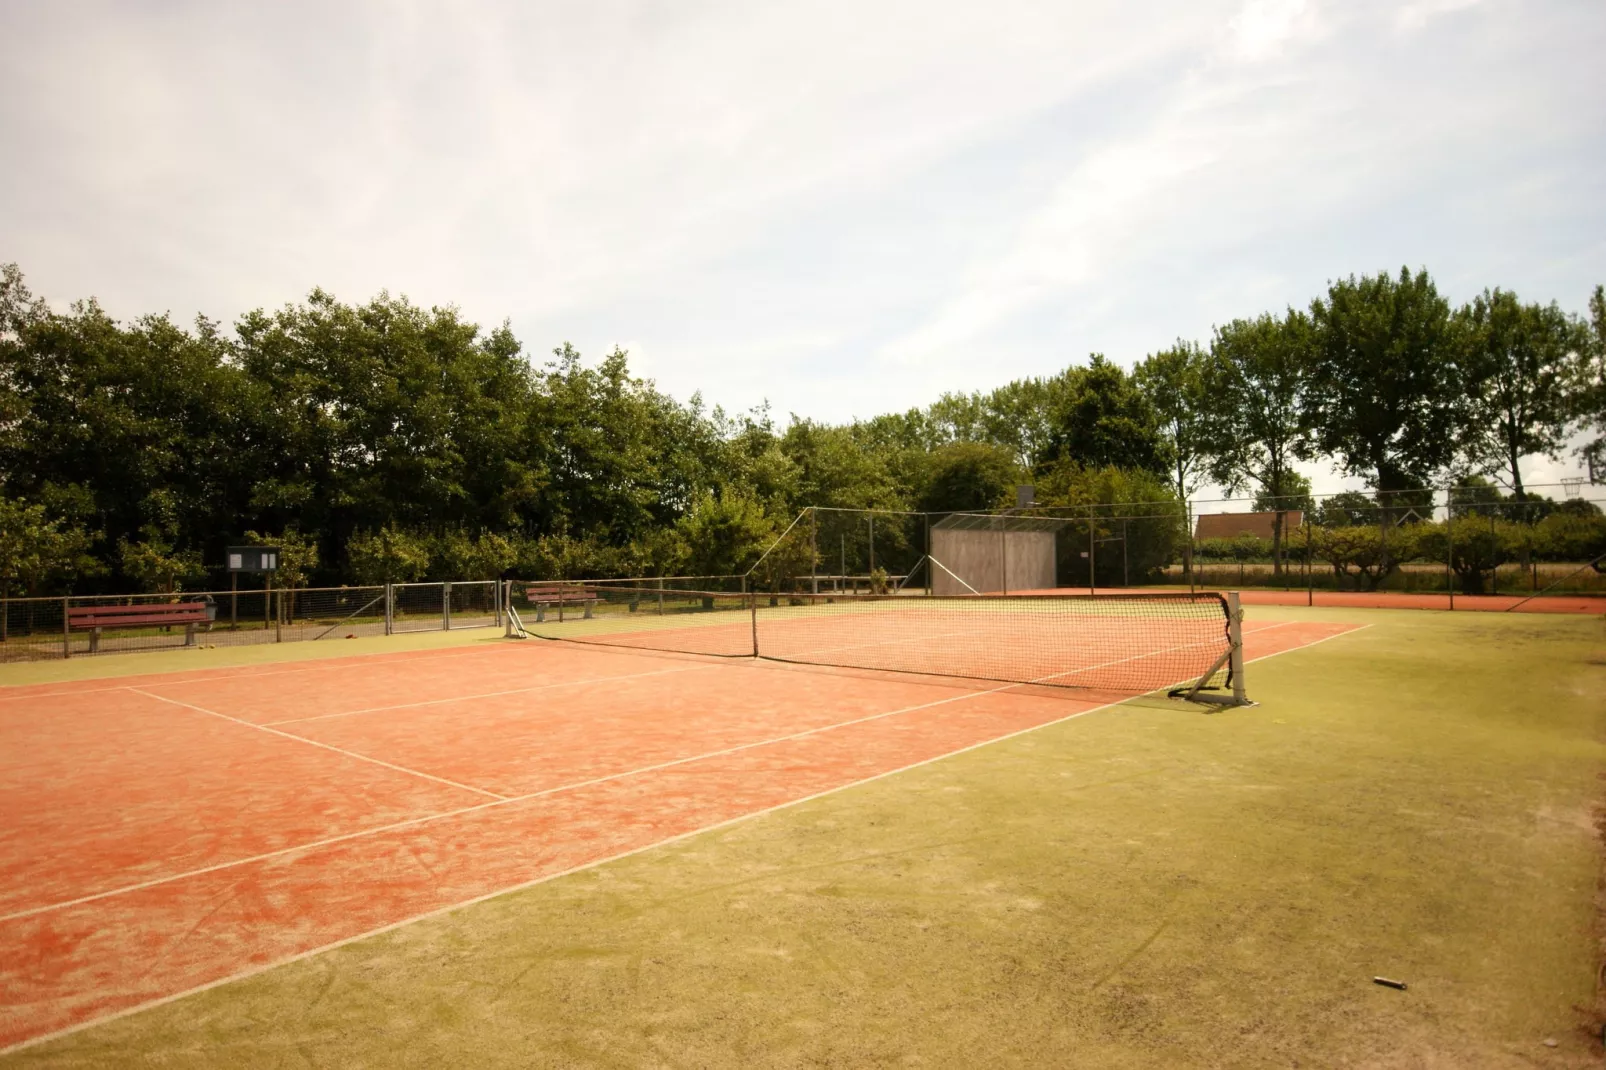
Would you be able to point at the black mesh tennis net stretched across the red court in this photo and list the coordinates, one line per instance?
(1123, 643)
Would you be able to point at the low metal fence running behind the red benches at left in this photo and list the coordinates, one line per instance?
(44, 629)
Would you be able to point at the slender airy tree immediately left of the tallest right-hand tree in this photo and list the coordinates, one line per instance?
(1258, 420)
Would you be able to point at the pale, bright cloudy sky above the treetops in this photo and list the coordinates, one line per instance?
(841, 208)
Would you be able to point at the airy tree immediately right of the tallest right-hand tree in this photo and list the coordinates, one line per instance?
(1518, 362)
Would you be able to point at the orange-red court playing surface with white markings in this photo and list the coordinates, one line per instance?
(171, 833)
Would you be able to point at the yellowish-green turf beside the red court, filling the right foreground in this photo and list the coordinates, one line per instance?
(1139, 888)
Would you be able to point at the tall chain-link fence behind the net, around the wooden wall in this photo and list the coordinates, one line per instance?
(1448, 542)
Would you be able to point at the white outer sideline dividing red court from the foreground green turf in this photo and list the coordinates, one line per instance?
(452, 909)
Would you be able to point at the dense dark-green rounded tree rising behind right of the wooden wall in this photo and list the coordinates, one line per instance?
(1103, 420)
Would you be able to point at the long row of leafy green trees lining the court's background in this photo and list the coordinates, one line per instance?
(391, 441)
